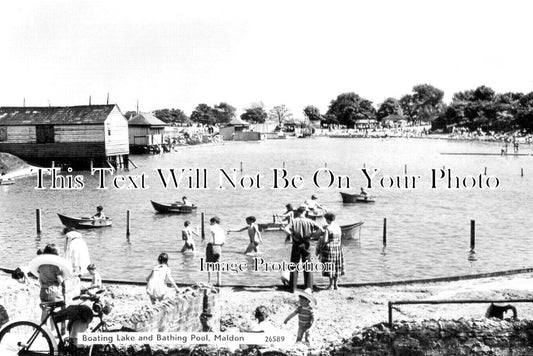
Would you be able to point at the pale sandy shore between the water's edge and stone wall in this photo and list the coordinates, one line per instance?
(339, 314)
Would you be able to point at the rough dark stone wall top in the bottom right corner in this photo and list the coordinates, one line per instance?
(440, 337)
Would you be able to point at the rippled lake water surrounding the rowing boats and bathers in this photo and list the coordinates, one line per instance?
(428, 221)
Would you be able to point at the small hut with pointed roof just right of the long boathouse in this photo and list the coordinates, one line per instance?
(146, 132)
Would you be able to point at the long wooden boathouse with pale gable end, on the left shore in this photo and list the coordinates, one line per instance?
(77, 136)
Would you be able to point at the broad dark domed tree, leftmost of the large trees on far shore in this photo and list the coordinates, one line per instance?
(349, 107)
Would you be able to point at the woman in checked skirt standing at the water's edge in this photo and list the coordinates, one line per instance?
(331, 251)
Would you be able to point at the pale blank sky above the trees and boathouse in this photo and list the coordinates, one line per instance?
(178, 54)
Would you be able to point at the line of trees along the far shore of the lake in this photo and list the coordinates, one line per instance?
(480, 108)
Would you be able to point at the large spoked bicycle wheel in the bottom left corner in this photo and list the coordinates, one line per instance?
(25, 338)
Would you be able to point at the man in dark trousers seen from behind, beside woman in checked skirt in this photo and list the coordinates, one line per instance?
(301, 229)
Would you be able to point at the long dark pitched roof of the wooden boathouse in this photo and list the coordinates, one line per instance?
(68, 115)
